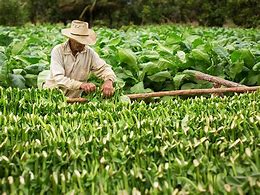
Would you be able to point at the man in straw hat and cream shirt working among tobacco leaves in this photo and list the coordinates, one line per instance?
(74, 60)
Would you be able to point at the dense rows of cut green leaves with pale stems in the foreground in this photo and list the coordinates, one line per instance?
(193, 146)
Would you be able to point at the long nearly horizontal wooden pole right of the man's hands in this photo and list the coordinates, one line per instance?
(194, 92)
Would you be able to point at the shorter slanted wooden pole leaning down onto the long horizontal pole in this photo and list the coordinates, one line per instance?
(206, 77)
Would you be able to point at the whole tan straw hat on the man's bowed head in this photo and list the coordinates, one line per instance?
(80, 32)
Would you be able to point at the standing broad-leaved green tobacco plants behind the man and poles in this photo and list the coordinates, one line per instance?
(145, 59)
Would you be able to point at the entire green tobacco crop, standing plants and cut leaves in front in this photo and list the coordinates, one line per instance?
(196, 145)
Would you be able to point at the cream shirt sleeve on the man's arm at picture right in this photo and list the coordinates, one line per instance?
(101, 69)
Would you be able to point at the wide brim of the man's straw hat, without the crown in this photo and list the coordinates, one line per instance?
(89, 39)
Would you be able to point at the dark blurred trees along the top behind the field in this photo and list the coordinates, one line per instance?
(117, 13)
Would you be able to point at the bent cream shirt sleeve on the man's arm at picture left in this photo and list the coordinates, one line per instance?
(58, 72)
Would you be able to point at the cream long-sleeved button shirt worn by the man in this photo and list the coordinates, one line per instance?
(68, 72)
